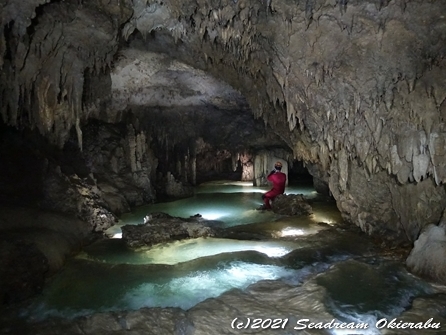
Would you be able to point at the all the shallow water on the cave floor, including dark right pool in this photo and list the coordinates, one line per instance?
(354, 284)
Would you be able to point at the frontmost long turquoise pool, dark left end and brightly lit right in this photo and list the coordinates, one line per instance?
(107, 288)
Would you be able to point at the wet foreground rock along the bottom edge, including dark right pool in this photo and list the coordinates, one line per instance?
(317, 300)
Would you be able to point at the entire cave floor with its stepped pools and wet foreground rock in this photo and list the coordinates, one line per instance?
(314, 267)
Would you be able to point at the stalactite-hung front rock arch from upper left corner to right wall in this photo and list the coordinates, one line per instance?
(357, 88)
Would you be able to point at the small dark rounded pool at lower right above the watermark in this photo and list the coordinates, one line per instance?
(378, 290)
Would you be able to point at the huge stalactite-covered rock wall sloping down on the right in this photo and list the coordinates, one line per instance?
(357, 88)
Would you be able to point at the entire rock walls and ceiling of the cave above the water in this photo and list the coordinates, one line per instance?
(113, 98)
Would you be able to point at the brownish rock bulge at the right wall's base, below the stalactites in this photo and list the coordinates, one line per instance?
(385, 208)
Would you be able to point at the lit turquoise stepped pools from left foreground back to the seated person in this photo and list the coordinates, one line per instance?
(108, 276)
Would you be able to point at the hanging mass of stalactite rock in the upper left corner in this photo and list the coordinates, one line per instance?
(45, 58)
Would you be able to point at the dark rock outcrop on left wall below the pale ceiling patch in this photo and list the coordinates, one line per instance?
(121, 158)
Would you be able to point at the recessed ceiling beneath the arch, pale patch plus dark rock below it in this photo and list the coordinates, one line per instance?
(181, 103)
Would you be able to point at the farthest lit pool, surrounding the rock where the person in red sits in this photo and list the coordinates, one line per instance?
(233, 203)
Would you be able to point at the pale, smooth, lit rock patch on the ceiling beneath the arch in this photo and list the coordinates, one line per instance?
(147, 79)
